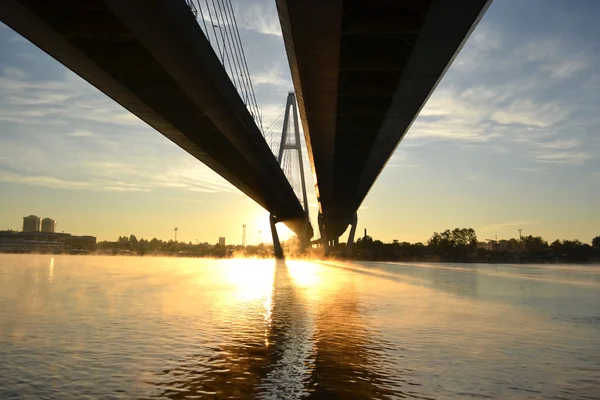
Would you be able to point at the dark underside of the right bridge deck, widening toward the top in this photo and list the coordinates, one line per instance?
(362, 71)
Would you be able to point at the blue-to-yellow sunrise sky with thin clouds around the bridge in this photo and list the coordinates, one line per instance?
(509, 140)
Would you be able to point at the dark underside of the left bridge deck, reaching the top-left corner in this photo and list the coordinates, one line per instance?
(151, 57)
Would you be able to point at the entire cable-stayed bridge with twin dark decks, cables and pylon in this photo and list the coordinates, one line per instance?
(361, 70)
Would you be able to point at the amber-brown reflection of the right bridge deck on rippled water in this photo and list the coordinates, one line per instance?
(351, 360)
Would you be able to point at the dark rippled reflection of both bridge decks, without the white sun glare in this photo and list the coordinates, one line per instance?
(328, 351)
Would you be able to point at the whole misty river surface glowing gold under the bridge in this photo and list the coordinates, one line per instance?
(75, 327)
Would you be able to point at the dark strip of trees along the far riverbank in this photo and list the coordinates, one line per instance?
(457, 245)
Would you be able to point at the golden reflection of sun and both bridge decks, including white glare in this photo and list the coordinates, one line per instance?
(306, 336)
